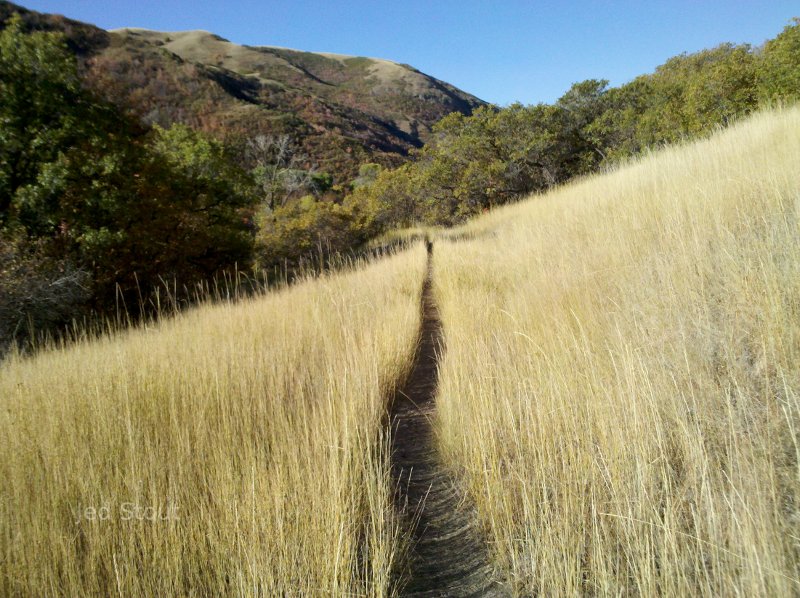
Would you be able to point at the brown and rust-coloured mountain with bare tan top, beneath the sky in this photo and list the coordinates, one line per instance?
(341, 111)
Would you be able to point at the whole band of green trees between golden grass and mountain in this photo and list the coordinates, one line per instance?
(98, 208)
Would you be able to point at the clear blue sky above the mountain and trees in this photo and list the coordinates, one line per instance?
(501, 51)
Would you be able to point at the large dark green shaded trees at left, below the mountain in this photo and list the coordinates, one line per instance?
(85, 189)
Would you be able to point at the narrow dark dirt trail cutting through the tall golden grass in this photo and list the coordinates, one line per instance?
(448, 556)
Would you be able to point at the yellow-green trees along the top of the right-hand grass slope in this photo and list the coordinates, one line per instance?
(498, 155)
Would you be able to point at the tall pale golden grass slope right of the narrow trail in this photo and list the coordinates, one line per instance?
(621, 388)
